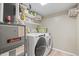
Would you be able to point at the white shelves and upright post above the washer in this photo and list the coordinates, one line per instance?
(28, 16)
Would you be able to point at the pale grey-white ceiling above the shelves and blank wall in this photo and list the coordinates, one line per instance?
(50, 8)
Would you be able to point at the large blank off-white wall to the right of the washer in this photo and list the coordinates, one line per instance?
(63, 30)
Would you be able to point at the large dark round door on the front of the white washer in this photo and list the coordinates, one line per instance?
(40, 47)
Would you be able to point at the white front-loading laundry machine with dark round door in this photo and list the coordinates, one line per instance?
(39, 44)
